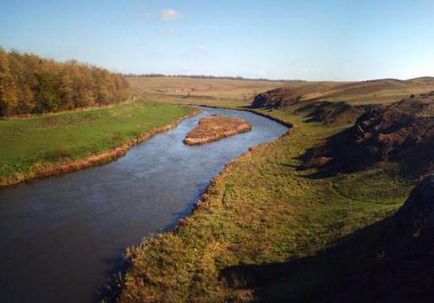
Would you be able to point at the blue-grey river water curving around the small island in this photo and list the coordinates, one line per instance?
(62, 237)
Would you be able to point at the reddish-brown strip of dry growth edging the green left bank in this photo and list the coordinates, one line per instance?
(56, 169)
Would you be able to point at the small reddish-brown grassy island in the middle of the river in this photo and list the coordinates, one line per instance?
(216, 127)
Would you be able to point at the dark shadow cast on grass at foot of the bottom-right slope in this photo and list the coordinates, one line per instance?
(308, 279)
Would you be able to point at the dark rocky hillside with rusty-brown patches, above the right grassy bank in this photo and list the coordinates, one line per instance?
(402, 133)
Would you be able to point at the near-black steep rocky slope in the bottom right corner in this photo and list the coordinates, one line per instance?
(401, 269)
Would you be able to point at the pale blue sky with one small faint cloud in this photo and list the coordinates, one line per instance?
(275, 39)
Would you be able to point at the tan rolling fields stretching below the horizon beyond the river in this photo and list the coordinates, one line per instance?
(232, 93)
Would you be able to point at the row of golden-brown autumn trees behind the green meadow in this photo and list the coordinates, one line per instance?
(31, 84)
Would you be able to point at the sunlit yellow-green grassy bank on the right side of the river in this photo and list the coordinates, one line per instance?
(262, 210)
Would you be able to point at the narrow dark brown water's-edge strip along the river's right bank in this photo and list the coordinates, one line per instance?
(115, 287)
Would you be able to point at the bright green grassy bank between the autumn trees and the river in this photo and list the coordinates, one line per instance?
(31, 144)
